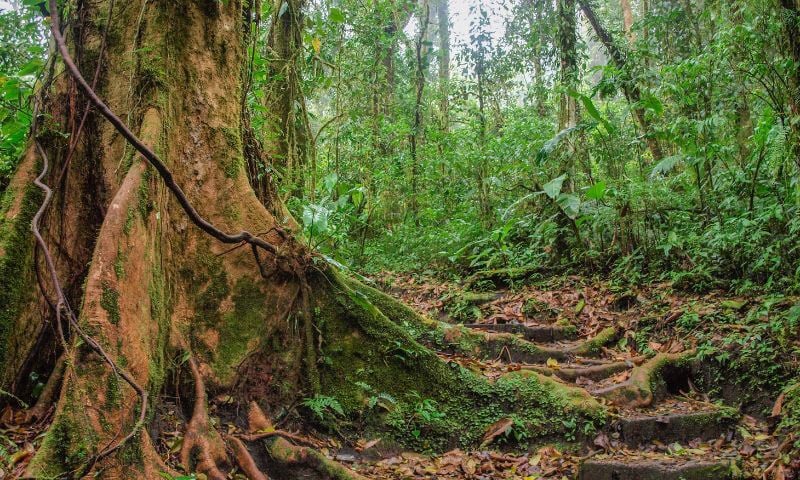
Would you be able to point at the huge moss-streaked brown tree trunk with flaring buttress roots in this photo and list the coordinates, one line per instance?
(169, 301)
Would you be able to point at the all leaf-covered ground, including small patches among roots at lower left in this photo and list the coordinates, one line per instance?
(683, 431)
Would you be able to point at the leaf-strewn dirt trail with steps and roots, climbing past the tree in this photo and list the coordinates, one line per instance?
(661, 424)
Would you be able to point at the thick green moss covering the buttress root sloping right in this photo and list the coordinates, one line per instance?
(370, 349)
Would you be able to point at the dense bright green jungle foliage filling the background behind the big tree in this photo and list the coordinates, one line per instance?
(470, 166)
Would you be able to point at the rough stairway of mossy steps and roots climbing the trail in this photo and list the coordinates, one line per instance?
(656, 424)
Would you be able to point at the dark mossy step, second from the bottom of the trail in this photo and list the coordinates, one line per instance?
(638, 430)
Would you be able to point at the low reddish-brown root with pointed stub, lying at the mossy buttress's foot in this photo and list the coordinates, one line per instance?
(284, 452)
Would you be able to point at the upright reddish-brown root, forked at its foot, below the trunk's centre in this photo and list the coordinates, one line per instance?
(201, 439)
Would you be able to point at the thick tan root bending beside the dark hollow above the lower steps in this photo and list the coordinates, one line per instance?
(638, 390)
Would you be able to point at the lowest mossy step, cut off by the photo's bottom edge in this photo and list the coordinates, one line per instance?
(655, 467)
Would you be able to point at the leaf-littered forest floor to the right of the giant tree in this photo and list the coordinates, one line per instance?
(653, 321)
